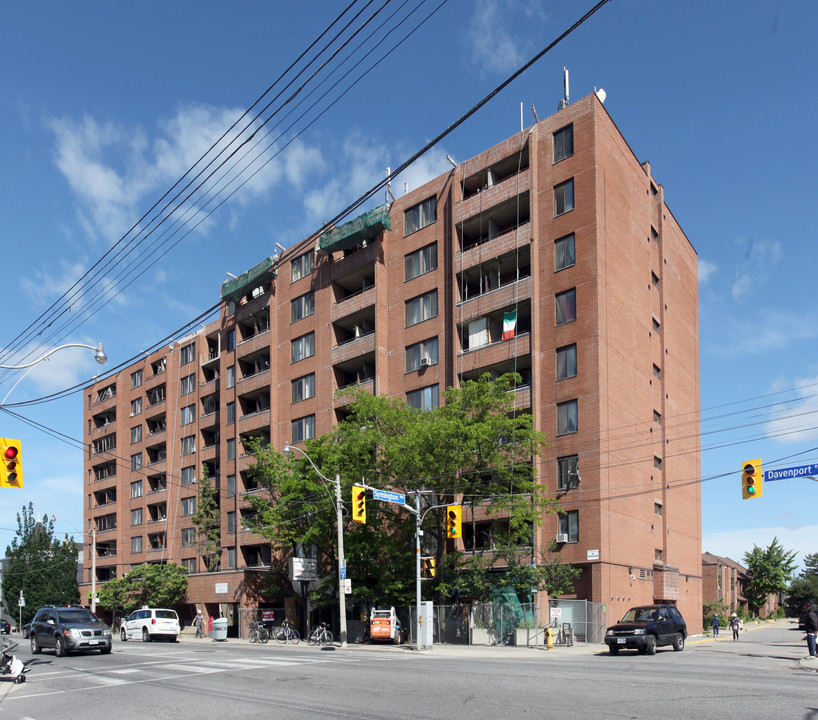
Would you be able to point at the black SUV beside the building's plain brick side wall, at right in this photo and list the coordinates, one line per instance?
(645, 628)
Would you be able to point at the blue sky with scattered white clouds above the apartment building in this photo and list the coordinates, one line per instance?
(105, 105)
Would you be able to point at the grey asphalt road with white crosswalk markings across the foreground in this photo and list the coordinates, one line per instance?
(761, 676)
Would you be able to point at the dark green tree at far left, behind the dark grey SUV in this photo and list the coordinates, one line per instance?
(40, 565)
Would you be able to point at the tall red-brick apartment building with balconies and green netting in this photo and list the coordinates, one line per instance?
(560, 223)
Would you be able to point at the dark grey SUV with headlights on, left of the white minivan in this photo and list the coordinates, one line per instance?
(67, 629)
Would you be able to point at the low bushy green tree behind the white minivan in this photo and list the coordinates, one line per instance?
(153, 585)
